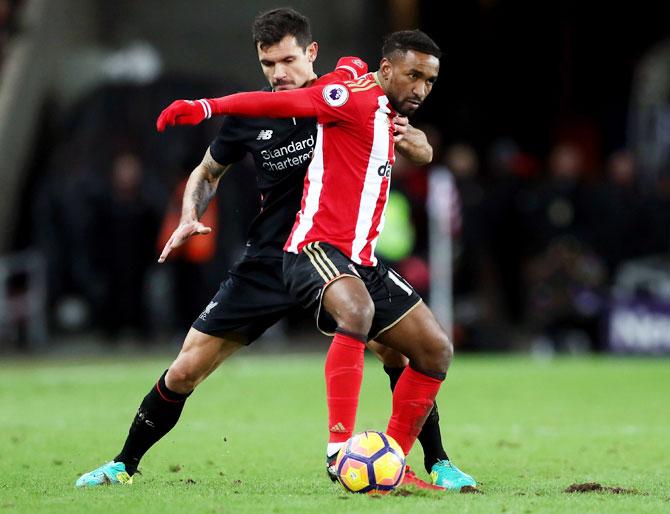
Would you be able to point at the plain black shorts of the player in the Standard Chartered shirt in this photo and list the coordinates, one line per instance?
(250, 301)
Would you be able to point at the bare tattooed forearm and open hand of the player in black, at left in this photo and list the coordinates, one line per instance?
(200, 190)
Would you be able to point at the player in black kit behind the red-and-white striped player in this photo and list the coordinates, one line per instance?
(254, 296)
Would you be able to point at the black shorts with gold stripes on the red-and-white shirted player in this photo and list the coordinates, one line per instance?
(319, 264)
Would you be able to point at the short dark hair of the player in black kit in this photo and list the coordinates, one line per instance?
(270, 27)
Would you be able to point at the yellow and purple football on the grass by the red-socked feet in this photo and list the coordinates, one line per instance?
(370, 462)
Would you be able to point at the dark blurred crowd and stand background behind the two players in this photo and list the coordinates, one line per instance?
(550, 124)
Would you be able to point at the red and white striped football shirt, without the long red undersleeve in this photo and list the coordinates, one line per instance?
(347, 182)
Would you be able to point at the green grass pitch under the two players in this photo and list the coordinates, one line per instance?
(252, 438)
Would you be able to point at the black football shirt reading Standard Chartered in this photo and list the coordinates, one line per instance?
(282, 149)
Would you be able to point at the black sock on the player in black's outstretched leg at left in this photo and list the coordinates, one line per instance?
(158, 413)
